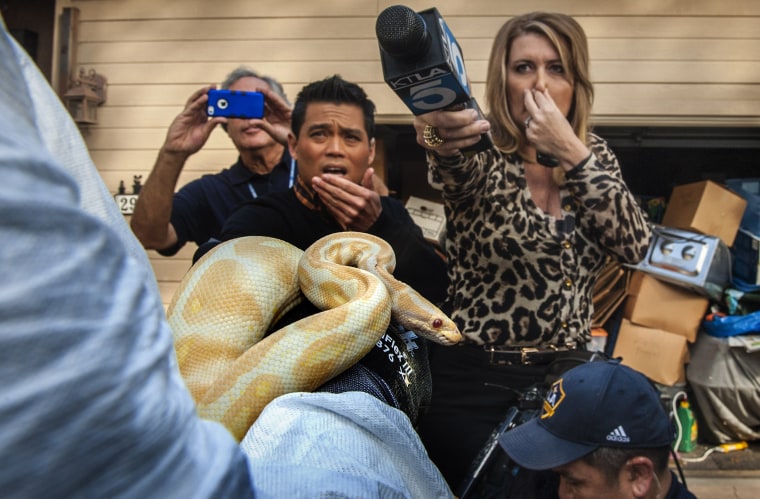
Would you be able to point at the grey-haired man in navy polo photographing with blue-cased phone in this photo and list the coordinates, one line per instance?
(165, 221)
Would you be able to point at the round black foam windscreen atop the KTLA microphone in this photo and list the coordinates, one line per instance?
(402, 32)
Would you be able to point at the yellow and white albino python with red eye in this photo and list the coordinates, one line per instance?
(229, 299)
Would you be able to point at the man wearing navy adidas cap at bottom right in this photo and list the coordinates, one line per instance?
(604, 431)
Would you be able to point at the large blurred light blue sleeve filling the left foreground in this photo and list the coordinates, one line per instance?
(91, 404)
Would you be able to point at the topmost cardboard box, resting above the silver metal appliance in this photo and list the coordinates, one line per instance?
(705, 207)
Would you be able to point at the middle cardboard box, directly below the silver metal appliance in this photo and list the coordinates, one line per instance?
(661, 305)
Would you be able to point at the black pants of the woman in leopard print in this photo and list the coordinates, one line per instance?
(470, 398)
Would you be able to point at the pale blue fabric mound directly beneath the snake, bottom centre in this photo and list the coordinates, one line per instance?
(339, 445)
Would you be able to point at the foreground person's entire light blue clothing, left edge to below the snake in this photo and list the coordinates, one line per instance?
(93, 404)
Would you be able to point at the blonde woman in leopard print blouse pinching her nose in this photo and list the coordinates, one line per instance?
(531, 222)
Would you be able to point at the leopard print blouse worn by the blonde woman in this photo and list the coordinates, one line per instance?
(520, 277)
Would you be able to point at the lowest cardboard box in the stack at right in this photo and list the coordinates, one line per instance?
(659, 355)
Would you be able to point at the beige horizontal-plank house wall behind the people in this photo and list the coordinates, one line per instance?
(654, 62)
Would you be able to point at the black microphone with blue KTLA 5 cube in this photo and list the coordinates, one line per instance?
(423, 64)
